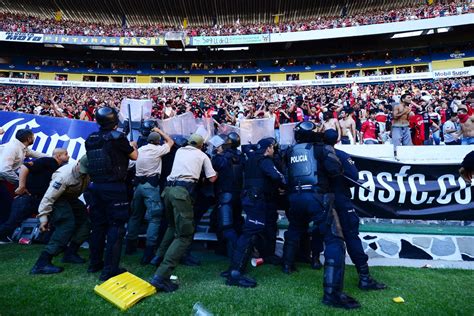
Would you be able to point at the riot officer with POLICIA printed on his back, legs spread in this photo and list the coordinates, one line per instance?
(311, 164)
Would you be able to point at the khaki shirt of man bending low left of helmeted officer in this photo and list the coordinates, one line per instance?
(66, 182)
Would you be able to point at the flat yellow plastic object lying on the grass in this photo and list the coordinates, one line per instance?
(125, 290)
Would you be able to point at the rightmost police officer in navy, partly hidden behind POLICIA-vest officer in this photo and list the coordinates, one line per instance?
(348, 216)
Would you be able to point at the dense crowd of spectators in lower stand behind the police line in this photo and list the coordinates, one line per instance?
(359, 111)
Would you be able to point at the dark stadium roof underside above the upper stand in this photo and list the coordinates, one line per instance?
(197, 12)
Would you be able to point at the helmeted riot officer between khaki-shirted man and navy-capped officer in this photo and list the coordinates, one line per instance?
(228, 164)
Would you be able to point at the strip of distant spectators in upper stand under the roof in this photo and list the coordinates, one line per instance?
(24, 23)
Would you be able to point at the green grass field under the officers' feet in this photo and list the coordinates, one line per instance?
(426, 291)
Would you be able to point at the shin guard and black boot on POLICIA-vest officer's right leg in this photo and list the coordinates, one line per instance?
(333, 285)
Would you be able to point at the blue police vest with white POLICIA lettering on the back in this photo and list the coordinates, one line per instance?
(302, 165)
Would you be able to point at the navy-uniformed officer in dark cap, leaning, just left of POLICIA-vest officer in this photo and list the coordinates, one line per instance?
(261, 182)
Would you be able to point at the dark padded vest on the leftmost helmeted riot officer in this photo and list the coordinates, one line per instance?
(102, 166)
